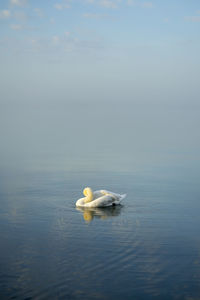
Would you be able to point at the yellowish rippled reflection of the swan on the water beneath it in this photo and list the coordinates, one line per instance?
(102, 213)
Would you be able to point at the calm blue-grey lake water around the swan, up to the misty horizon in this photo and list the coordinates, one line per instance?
(148, 248)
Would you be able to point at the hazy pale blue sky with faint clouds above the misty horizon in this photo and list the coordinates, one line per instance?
(123, 47)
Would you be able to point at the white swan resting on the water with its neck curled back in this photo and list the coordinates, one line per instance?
(100, 198)
